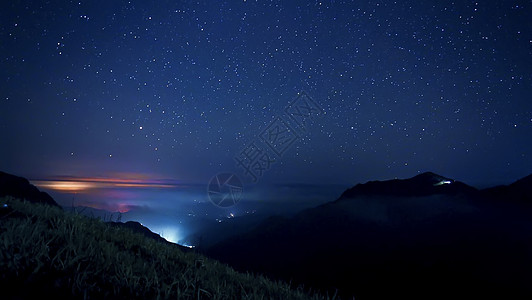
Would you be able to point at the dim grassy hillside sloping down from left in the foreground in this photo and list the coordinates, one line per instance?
(46, 251)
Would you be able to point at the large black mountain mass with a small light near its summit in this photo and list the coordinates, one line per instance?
(428, 237)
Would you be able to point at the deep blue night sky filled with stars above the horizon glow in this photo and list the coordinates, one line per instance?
(174, 90)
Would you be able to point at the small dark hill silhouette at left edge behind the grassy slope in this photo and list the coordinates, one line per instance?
(19, 187)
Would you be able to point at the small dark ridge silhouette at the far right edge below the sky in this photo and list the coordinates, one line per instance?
(519, 191)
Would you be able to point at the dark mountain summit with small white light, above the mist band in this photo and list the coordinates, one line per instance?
(424, 184)
